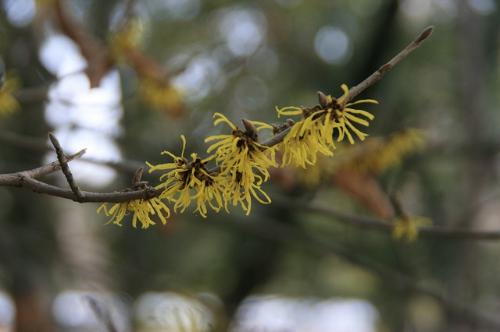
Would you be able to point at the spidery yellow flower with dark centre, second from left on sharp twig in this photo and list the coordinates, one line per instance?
(186, 181)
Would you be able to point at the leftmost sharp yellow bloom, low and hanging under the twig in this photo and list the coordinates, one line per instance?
(142, 210)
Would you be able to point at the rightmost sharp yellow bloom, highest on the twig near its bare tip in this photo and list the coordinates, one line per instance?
(316, 132)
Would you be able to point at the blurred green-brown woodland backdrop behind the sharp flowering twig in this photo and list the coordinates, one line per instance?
(125, 78)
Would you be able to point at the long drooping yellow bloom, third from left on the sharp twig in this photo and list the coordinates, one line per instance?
(243, 162)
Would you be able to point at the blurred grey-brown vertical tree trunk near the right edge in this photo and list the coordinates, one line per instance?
(472, 96)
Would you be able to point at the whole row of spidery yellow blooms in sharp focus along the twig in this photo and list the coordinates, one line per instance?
(241, 162)
